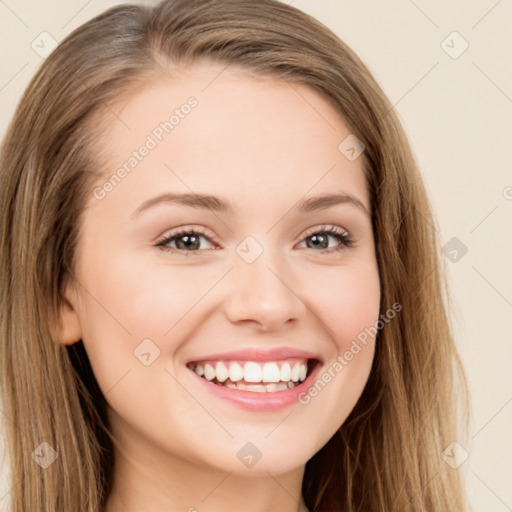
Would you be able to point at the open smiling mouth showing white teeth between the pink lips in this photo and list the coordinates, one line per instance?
(256, 376)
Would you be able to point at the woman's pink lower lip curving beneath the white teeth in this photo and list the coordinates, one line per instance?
(254, 401)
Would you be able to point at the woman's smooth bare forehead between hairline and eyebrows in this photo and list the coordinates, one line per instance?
(224, 131)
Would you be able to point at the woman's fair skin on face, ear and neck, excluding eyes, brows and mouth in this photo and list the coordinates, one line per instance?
(262, 144)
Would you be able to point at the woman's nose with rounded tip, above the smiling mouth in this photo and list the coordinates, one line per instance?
(263, 293)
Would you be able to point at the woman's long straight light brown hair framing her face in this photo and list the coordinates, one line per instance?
(387, 455)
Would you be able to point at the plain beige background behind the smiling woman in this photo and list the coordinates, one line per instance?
(458, 115)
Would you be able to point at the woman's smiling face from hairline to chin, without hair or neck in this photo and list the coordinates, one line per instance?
(253, 282)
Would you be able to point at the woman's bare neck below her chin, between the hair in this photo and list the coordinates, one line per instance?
(148, 478)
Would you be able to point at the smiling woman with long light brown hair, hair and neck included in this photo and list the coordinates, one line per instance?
(257, 372)
